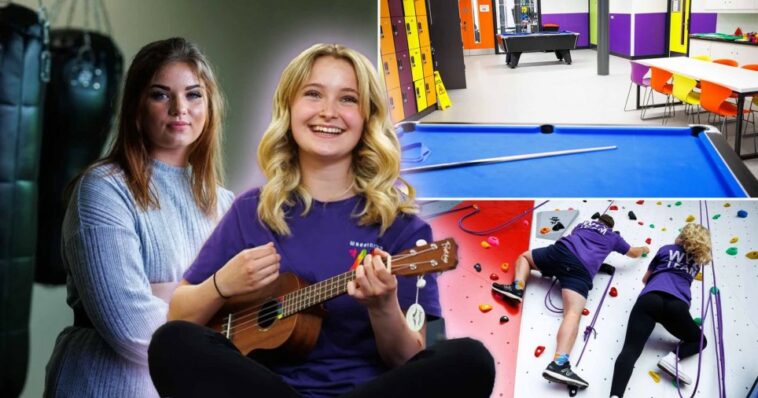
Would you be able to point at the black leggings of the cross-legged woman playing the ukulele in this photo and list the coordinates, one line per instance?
(188, 360)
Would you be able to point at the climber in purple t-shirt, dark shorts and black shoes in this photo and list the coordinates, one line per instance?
(573, 260)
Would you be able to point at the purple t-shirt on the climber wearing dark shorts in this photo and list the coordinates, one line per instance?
(591, 242)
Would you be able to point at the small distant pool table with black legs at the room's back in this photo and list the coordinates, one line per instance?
(514, 44)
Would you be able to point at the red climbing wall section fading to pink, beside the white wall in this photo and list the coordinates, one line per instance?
(469, 307)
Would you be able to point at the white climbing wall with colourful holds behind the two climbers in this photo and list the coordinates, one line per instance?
(736, 275)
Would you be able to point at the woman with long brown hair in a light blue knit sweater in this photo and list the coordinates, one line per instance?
(135, 221)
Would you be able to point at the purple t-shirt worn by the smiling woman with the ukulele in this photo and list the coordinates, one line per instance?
(323, 243)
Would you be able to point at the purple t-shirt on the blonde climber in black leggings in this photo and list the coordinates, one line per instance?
(673, 272)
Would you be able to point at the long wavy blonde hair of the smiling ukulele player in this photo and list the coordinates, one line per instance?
(375, 159)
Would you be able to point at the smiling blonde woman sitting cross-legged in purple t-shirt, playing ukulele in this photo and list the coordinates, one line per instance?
(332, 162)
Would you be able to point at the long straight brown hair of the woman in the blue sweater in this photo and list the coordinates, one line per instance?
(131, 148)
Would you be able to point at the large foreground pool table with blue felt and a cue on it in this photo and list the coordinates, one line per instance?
(663, 162)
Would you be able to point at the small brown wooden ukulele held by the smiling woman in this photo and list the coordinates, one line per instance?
(287, 314)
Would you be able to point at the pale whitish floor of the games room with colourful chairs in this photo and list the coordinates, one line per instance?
(541, 90)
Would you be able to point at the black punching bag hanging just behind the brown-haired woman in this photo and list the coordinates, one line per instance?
(79, 107)
